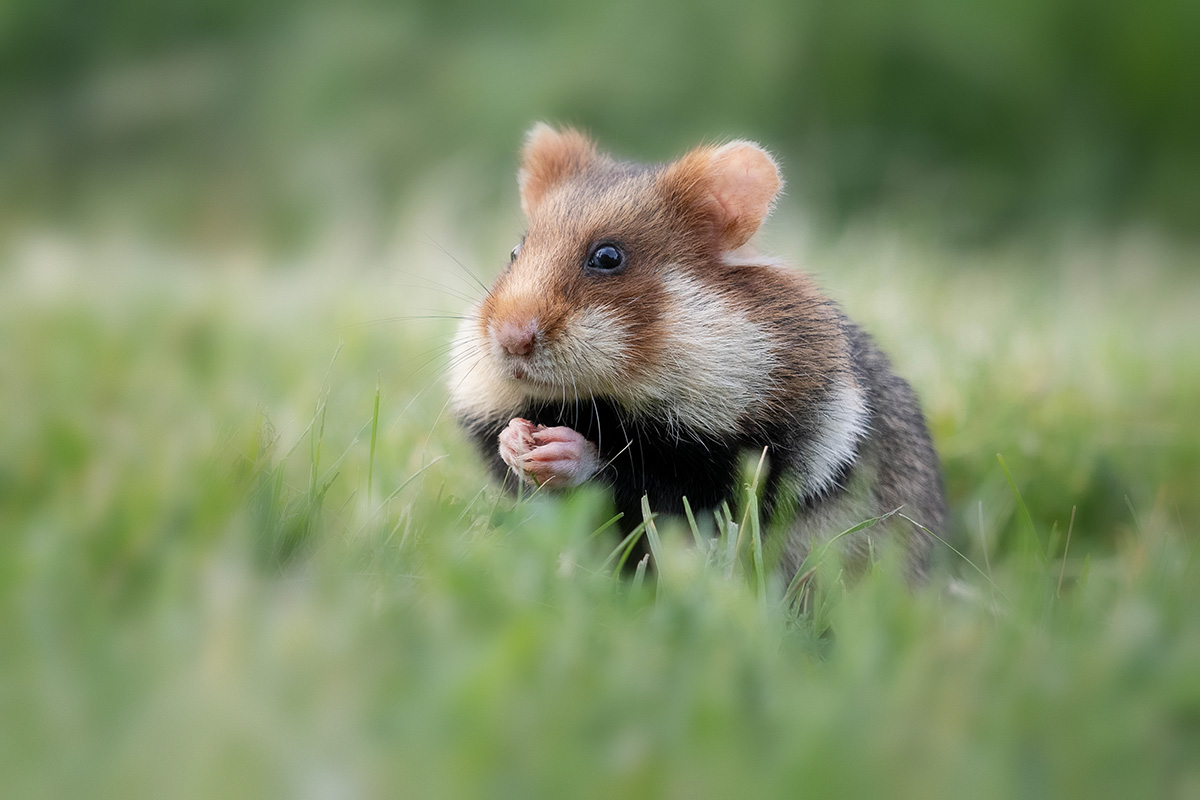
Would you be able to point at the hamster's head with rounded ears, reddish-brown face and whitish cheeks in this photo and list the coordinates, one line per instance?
(614, 261)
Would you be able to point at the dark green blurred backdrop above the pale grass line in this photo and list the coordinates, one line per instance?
(218, 119)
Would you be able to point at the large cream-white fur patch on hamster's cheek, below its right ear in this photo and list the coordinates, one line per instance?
(716, 363)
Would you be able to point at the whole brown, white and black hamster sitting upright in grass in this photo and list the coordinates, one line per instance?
(638, 341)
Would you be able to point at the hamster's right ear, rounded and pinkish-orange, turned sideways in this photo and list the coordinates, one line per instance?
(736, 185)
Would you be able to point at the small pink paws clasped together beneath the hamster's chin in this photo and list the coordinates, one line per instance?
(556, 458)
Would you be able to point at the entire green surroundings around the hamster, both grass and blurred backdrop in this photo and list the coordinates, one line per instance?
(244, 552)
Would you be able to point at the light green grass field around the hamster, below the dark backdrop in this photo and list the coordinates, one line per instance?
(236, 566)
